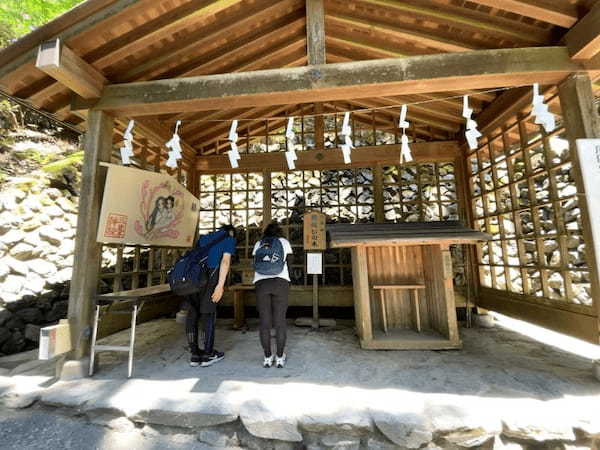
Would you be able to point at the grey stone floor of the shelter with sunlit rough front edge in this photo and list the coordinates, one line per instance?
(502, 390)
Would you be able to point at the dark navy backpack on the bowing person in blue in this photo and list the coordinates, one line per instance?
(190, 273)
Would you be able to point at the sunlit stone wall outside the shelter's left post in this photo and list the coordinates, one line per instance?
(37, 242)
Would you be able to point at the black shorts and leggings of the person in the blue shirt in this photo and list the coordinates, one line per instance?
(202, 305)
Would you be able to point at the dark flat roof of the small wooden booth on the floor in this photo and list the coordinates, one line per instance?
(407, 233)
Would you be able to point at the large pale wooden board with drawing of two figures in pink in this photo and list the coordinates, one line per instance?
(146, 208)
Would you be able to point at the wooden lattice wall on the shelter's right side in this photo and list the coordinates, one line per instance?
(523, 193)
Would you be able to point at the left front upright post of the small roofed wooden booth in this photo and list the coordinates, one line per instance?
(362, 300)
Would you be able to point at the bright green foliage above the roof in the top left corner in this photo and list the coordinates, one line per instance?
(19, 17)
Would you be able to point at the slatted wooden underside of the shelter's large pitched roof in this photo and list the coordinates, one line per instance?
(140, 40)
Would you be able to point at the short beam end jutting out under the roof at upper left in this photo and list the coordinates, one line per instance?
(61, 63)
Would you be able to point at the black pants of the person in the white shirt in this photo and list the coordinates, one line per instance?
(272, 304)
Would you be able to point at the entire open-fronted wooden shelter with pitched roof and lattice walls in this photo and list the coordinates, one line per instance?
(209, 62)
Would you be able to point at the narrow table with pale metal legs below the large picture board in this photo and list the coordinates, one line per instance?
(134, 298)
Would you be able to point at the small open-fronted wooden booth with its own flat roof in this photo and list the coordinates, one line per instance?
(402, 276)
